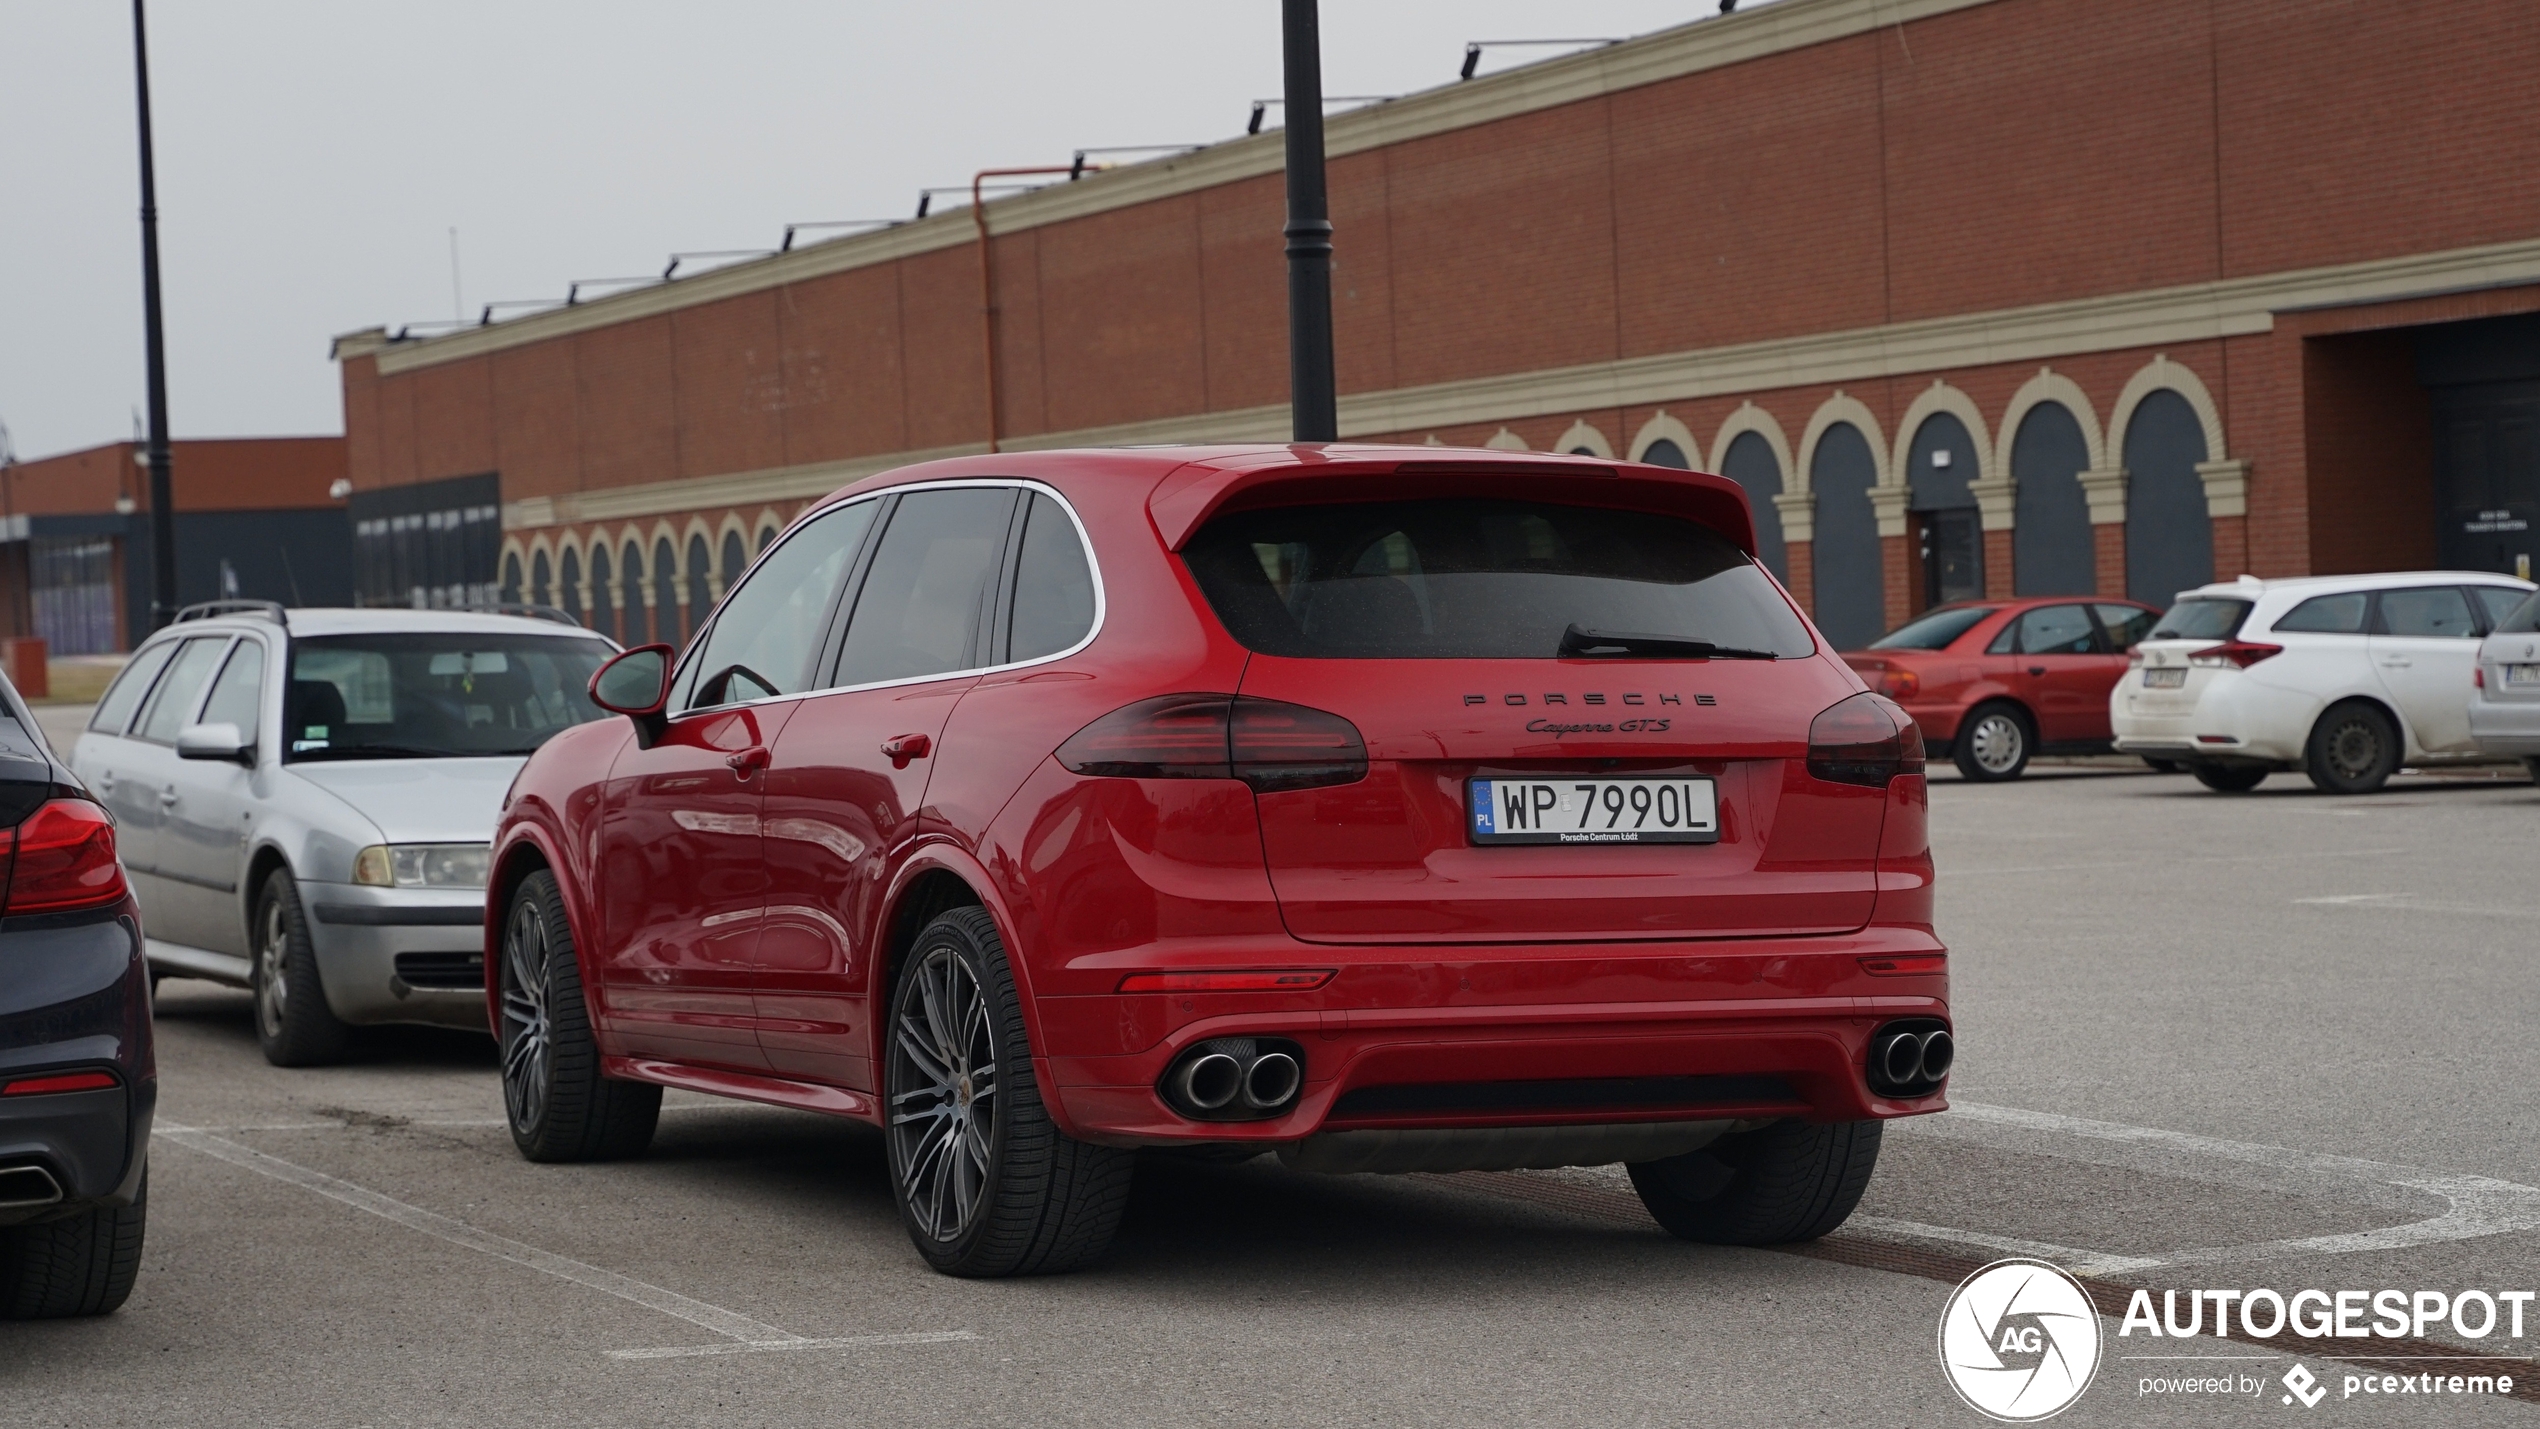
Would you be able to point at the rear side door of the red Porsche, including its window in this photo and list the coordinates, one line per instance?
(850, 775)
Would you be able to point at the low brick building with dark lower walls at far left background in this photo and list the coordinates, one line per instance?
(255, 517)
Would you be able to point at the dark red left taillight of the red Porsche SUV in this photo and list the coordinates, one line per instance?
(1220, 737)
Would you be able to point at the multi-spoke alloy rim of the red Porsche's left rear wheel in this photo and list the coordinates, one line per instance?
(944, 1095)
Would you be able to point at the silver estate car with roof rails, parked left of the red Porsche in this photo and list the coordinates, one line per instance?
(306, 798)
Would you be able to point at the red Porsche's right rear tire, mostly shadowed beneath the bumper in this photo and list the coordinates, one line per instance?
(1779, 1184)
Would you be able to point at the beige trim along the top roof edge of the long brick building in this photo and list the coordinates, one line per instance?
(1668, 55)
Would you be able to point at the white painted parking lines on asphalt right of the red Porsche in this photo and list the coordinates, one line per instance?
(2475, 1204)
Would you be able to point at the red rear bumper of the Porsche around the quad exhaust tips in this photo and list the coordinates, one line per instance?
(1774, 1052)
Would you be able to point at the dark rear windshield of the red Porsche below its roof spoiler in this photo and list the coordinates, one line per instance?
(1482, 580)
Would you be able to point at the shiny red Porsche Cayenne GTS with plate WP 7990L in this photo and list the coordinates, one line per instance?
(1383, 808)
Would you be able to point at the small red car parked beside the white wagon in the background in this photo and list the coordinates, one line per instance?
(1998, 682)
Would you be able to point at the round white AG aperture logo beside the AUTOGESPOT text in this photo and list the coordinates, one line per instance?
(2021, 1341)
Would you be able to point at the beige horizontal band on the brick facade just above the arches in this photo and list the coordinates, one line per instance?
(2010, 336)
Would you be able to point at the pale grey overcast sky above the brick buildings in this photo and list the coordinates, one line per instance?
(314, 156)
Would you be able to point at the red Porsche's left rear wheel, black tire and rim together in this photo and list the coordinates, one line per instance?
(1007, 1194)
